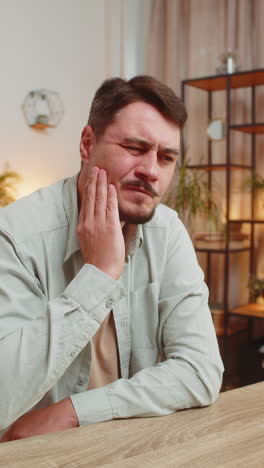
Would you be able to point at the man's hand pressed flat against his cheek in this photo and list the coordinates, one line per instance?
(99, 230)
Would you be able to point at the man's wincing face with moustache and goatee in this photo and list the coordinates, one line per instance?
(139, 152)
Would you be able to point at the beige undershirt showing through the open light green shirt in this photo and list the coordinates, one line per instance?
(105, 366)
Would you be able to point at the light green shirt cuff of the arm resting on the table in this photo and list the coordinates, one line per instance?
(92, 406)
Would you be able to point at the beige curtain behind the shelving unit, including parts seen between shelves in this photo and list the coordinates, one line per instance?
(185, 40)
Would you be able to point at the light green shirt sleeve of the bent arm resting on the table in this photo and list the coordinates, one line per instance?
(191, 372)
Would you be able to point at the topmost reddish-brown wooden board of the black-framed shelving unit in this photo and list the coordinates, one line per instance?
(220, 82)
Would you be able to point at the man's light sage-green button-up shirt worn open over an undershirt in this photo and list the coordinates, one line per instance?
(52, 305)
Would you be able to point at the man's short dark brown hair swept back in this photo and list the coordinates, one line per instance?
(116, 93)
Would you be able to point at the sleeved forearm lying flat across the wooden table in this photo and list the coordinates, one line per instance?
(156, 391)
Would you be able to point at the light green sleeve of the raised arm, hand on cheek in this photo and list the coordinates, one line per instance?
(39, 338)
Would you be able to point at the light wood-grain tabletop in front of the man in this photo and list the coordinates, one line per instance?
(229, 433)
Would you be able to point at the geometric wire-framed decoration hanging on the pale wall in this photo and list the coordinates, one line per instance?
(42, 109)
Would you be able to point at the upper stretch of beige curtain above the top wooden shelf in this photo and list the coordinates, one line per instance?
(187, 37)
